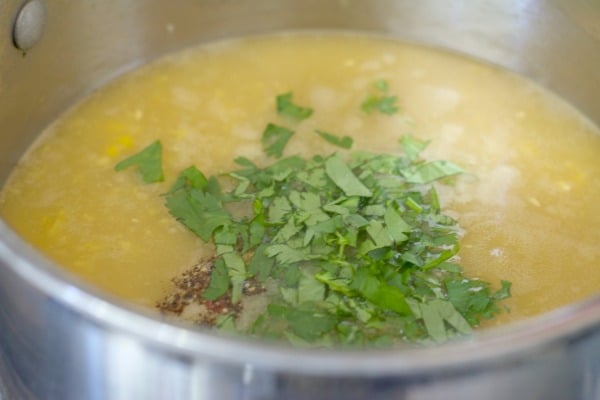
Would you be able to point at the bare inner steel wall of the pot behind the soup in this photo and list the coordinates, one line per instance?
(84, 44)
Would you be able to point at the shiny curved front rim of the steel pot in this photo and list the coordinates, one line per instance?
(492, 346)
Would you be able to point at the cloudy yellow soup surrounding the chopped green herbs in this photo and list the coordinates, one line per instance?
(528, 205)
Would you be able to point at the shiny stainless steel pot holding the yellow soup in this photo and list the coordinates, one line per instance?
(62, 339)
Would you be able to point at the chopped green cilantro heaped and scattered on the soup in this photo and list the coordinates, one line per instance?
(356, 248)
